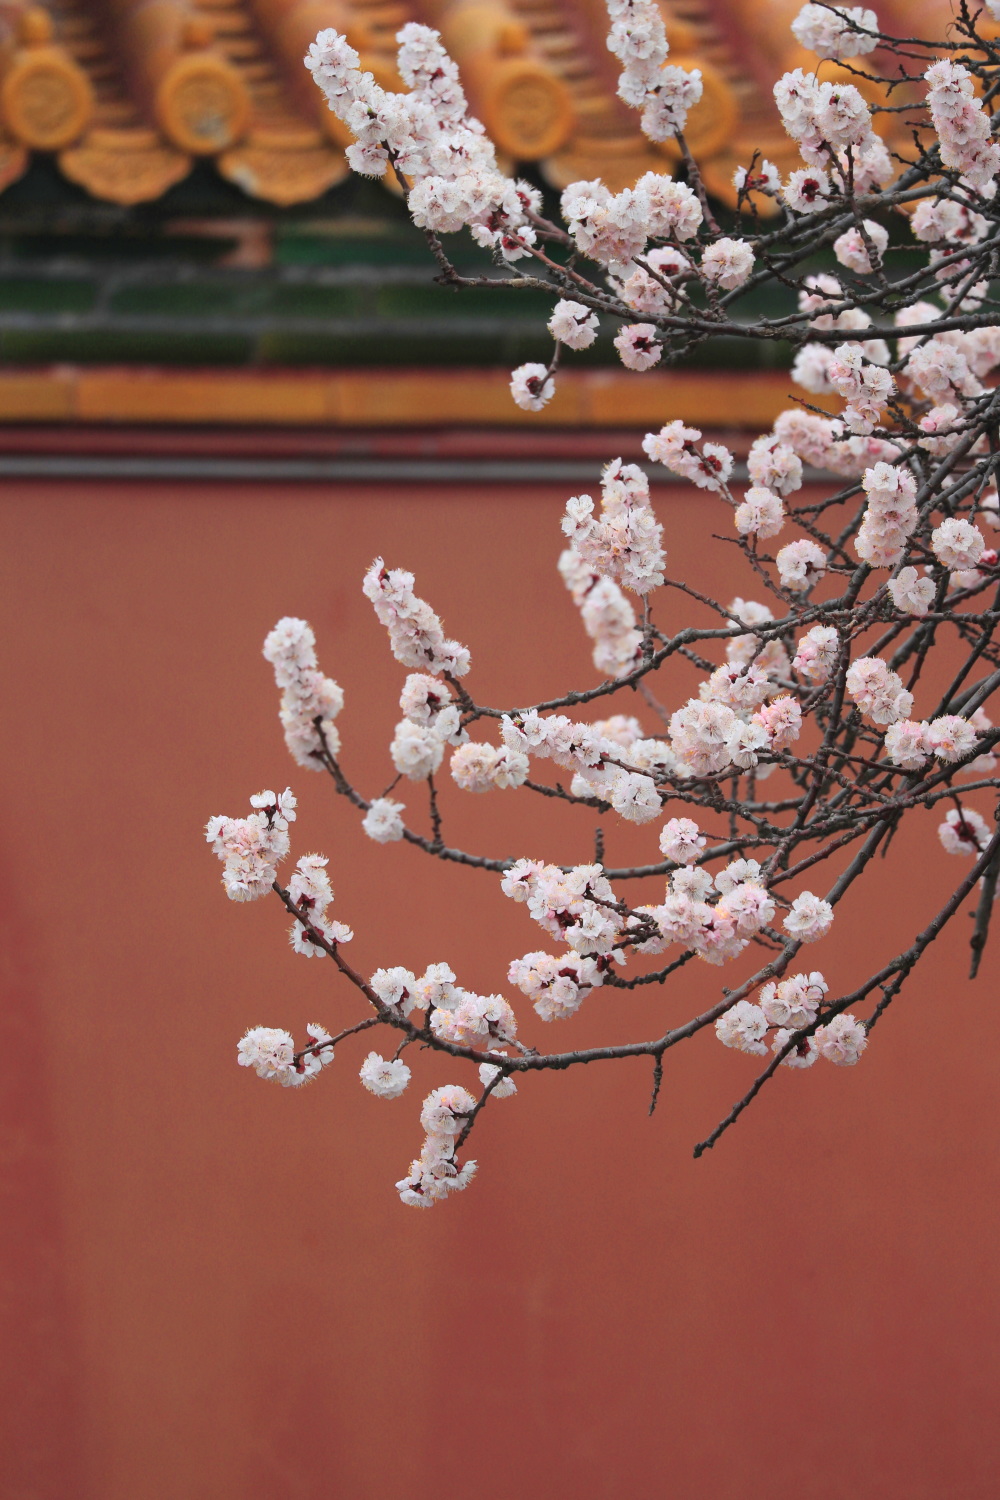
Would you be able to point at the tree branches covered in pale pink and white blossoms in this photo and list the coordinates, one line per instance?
(888, 569)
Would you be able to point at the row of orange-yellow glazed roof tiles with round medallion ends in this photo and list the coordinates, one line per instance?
(131, 92)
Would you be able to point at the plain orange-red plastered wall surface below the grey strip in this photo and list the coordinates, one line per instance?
(209, 1289)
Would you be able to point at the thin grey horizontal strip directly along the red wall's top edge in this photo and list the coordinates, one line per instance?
(524, 472)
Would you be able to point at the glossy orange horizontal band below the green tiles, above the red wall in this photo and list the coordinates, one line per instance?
(373, 398)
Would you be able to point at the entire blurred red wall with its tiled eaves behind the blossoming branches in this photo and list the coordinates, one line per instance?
(227, 382)
